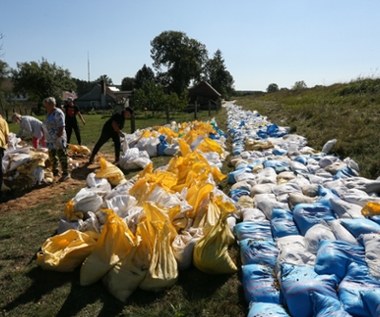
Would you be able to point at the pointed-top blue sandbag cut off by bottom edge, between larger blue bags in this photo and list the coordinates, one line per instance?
(327, 306)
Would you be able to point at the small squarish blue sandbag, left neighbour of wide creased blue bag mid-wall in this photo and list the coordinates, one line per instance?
(282, 223)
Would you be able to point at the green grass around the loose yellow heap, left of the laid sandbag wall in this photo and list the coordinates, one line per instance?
(27, 290)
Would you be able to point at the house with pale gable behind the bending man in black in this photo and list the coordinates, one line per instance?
(99, 98)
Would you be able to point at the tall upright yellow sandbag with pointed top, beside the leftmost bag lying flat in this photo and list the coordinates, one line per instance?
(114, 243)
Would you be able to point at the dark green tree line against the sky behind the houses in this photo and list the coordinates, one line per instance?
(178, 63)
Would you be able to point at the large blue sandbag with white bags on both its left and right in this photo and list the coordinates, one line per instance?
(334, 257)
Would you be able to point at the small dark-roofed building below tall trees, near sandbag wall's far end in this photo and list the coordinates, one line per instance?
(205, 96)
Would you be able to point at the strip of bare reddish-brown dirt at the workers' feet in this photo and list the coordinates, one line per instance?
(28, 198)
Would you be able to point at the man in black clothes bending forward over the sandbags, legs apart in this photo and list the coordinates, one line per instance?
(112, 130)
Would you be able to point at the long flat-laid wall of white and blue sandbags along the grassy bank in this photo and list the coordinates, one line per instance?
(306, 247)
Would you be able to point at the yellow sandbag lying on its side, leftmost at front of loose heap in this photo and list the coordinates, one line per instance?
(66, 251)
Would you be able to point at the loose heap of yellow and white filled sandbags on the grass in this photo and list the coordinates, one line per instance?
(140, 232)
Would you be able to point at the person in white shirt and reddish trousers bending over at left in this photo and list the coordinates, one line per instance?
(30, 127)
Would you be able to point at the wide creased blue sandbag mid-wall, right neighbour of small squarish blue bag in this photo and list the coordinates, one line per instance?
(307, 215)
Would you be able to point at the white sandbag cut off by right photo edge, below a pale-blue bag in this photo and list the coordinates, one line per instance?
(371, 242)
